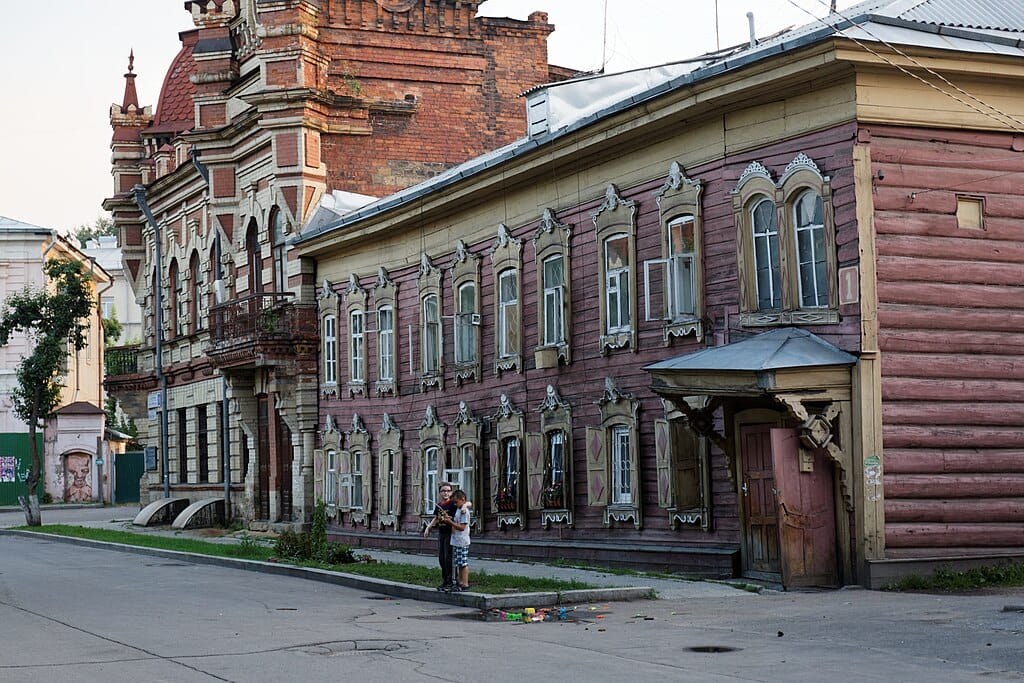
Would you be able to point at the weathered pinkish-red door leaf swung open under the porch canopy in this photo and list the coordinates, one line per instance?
(806, 515)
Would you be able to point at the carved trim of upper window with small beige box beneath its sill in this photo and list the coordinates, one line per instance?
(553, 238)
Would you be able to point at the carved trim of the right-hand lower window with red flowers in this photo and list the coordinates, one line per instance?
(557, 417)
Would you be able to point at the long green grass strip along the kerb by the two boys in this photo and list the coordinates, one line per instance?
(482, 582)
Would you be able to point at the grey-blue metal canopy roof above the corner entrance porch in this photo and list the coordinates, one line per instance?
(779, 350)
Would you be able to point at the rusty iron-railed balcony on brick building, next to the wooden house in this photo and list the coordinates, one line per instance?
(263, 330)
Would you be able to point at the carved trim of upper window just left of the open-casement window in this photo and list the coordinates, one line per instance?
(610, 221)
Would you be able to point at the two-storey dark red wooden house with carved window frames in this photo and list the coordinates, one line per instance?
(759, 316)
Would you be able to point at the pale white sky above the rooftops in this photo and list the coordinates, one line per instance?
(62, 67)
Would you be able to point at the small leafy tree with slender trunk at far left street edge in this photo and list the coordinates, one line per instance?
(54, 319)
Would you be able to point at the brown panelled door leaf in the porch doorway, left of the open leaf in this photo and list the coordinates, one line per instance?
(761, 548)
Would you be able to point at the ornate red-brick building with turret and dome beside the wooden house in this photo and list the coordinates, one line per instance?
(273, 116)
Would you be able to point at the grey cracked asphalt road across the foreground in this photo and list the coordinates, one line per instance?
(74, 614)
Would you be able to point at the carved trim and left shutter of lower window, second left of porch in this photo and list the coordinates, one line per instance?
(619, 409)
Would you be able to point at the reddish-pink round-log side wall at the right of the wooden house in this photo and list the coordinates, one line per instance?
(952, 334)
